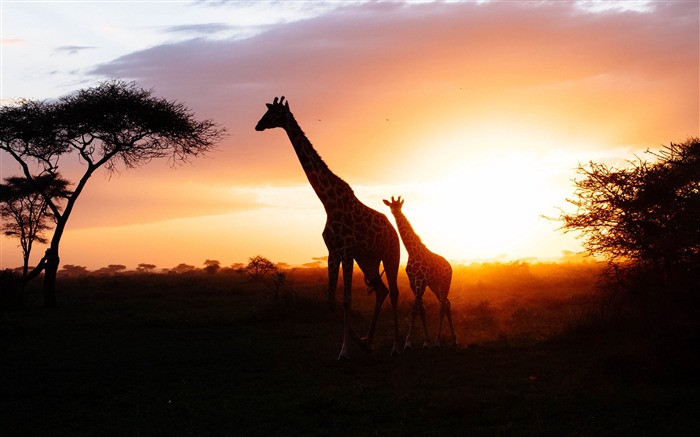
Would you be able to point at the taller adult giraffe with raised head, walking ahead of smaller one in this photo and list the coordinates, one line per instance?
(353, 232)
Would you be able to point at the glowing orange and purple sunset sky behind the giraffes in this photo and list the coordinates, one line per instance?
(475, 113)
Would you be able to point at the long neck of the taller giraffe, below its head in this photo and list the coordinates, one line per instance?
(329, 188)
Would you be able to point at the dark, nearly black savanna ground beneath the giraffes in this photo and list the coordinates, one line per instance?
(215, 355)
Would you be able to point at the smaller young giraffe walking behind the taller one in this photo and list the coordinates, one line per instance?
(424, 269)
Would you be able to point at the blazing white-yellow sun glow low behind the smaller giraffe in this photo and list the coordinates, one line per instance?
(491, 206)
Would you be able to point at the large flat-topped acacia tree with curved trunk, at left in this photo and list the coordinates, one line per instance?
(113, 125)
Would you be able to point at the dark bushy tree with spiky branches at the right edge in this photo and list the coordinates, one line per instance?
(644, 218)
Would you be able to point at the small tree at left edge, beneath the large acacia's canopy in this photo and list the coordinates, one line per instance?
(25, 213)
